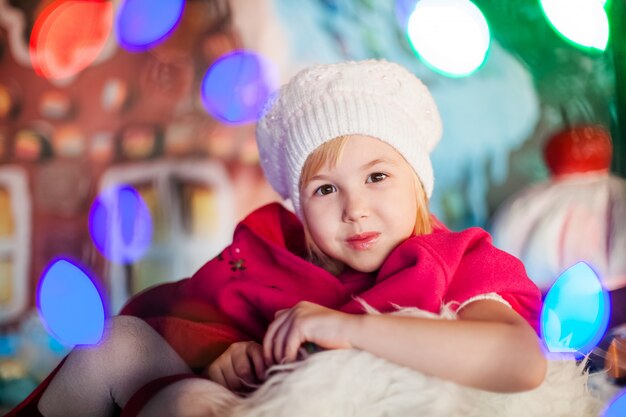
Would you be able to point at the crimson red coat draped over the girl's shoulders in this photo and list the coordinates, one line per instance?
(235, 295)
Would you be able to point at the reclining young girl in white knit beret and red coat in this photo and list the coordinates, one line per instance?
(348, 144)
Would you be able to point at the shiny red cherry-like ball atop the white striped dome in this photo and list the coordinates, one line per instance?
(579, 149)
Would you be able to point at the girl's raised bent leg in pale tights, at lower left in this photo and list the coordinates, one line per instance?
(93, 380)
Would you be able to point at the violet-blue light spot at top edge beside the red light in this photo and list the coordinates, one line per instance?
(141, 24)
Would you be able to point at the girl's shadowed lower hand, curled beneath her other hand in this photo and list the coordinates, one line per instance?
(240, 367)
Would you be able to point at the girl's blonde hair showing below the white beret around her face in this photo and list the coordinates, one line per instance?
(330, 153)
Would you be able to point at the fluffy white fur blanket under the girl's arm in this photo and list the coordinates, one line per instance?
(346, 383)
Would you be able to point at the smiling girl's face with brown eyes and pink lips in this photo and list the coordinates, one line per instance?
(360, 210)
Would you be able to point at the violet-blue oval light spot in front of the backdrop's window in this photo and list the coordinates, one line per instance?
(120, 224)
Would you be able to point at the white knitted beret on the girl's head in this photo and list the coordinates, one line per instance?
(374, 98)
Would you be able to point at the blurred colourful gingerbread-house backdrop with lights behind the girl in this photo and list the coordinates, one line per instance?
(127, 149)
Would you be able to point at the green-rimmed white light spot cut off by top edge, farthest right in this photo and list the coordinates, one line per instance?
(582, 22)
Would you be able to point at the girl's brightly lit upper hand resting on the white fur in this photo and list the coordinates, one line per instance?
(306, 322)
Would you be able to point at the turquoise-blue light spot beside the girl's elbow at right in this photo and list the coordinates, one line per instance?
(576, 311)
